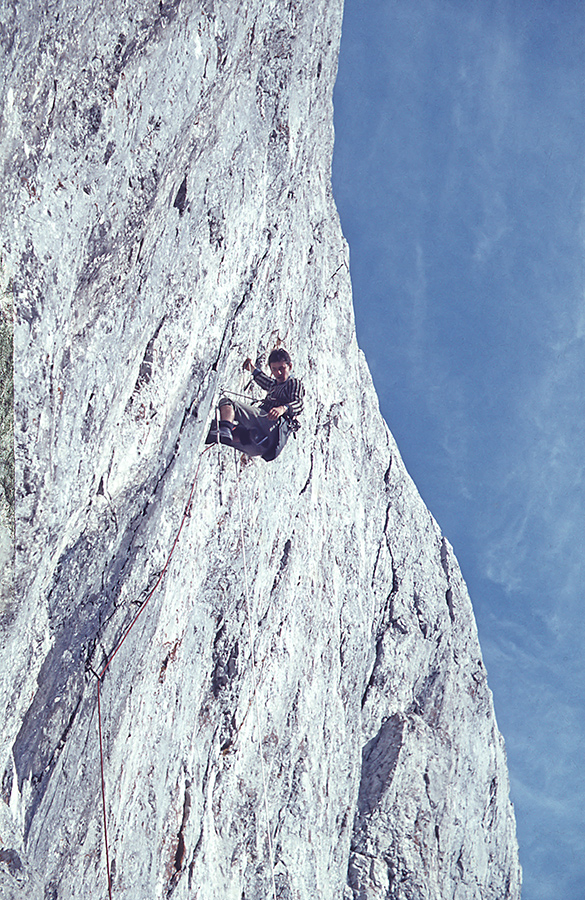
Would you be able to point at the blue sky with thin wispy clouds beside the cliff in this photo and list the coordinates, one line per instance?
(460, 181)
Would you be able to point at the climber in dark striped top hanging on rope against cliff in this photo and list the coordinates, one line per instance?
(263, 430)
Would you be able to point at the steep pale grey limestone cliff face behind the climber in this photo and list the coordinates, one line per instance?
(301, 709)
